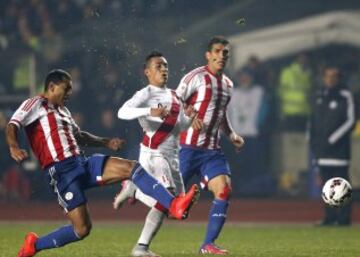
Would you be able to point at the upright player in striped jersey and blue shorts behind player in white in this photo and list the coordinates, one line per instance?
(209, 90)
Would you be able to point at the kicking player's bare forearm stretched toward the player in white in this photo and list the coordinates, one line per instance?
(85, 138)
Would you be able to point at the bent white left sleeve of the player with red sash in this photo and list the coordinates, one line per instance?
(134, 107)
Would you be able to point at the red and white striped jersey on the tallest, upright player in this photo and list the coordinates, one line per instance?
(210, 95)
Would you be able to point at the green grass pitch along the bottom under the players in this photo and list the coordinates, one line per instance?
(183, 239)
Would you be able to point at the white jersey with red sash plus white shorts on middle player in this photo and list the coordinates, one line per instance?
(160, 145)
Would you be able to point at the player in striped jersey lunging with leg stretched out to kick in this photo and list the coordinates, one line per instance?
(55, 138)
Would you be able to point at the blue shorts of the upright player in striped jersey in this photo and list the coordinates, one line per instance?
(204, 163)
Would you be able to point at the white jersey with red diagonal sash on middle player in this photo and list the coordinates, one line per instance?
(160, 135)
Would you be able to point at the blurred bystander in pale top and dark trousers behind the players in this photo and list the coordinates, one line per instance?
(249, 108)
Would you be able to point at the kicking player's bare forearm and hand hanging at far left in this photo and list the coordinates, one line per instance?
(16, 152)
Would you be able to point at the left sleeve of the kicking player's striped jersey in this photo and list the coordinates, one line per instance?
(27, 113)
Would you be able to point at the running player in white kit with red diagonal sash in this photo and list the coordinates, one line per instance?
(160, 146)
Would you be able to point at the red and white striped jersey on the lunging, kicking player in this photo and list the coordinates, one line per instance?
(50, 130)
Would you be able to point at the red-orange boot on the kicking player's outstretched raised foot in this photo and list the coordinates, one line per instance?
(180, 206)
